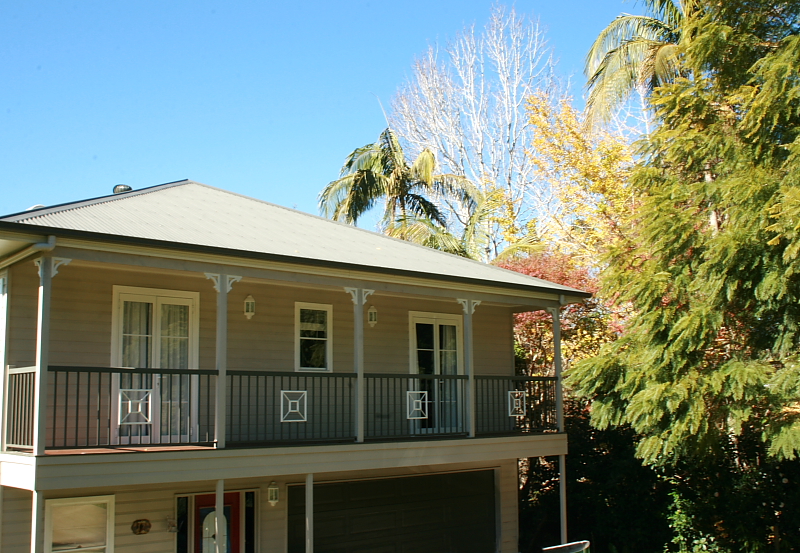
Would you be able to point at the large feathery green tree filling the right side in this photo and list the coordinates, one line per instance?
(714, 279)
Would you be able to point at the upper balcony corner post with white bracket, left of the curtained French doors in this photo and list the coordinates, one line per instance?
(48, 268)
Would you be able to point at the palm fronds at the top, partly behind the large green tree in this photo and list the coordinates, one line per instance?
(634, 52)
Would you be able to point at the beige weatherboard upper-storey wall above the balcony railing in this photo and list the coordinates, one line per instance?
(81, 316)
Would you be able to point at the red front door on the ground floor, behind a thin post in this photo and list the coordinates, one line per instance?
(205, 516)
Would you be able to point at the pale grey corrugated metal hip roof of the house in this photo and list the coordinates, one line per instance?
(188, 212)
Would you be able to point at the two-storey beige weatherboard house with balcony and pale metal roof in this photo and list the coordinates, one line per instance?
(180, 351)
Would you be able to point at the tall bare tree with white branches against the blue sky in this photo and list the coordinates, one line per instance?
(467, 104)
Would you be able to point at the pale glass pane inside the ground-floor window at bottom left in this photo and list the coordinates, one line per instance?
(81, 526)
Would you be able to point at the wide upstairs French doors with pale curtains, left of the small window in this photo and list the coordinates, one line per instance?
(156, 329)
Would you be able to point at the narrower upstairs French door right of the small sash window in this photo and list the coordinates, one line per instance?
(436, 341)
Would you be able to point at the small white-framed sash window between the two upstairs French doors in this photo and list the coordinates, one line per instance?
(313, 337)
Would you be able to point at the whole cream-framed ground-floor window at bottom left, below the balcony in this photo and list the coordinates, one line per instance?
(83, 524)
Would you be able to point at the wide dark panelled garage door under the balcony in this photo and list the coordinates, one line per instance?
(443, 513)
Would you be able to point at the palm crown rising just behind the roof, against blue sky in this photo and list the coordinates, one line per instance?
(380, 171)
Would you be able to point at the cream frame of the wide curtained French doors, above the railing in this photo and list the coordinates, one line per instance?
(153, 295)
